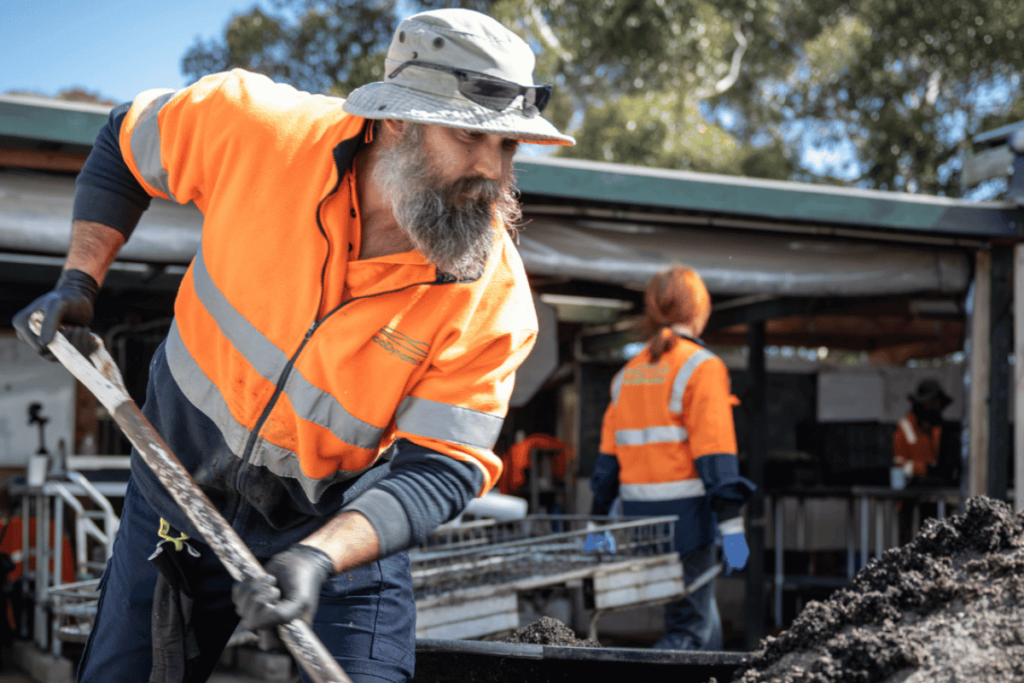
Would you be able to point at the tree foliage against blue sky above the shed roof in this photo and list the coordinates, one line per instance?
(765, 89)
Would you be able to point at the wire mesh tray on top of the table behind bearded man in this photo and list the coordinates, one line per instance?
(491, 553)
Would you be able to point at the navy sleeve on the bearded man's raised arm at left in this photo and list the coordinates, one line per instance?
(106, 191)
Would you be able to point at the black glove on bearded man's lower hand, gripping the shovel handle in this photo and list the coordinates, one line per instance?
(290, 591)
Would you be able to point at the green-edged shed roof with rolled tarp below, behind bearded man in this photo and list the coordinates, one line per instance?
(596, 229)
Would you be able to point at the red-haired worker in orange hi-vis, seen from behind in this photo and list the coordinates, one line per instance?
(669, 448)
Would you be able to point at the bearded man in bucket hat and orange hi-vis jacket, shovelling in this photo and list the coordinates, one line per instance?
(345, 343)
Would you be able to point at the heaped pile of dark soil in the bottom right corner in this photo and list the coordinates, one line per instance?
(949, 607)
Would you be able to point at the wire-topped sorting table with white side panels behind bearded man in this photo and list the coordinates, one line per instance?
(467, 578)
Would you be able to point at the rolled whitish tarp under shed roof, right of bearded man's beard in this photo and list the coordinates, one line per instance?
(738, 263)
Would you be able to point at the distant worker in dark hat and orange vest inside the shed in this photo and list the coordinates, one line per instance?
(916, 442)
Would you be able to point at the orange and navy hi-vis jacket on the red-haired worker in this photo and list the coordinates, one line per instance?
(668, 438)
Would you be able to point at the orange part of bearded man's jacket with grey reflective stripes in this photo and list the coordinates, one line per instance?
(309, 362)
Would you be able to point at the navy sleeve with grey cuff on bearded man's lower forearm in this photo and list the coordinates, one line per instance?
(423, 491)
